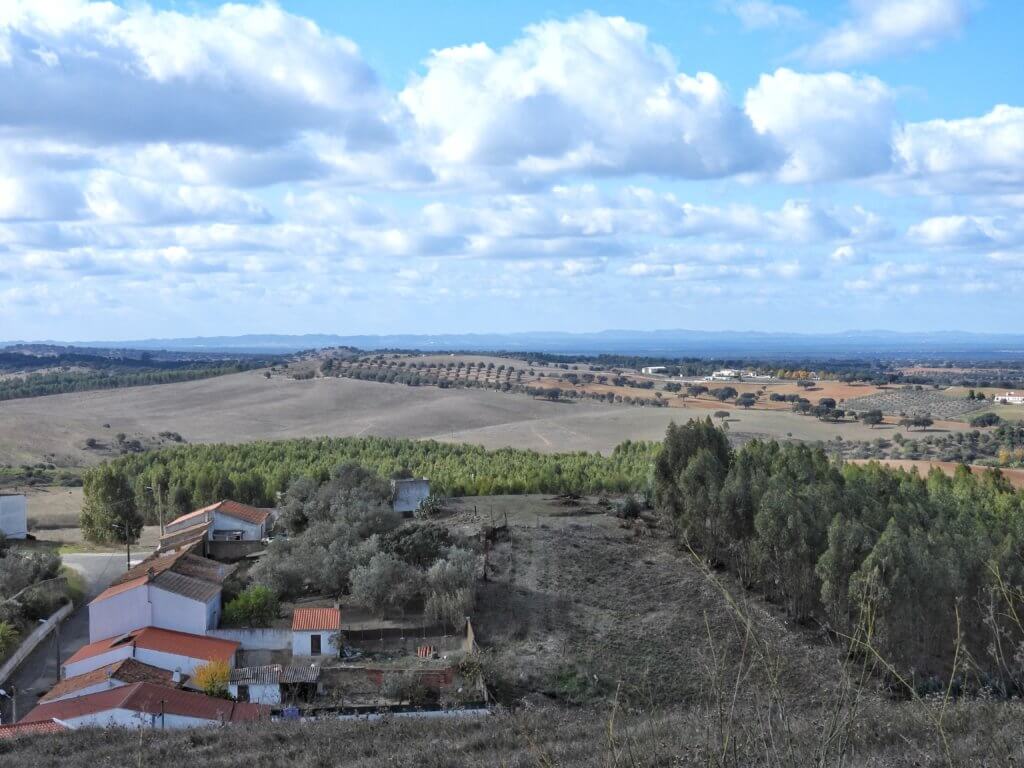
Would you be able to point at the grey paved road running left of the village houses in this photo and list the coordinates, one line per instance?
(40, 671)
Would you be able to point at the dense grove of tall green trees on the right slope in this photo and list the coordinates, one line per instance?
(924, 570)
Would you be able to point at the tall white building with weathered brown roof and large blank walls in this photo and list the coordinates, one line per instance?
(178, 591)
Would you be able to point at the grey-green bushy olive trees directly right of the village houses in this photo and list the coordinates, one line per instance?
(346, 539)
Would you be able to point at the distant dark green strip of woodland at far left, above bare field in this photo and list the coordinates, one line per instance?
(36, 386)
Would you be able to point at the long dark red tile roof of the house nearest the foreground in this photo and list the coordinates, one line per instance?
(150, 700)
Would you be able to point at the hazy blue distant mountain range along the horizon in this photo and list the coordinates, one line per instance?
(668, 344)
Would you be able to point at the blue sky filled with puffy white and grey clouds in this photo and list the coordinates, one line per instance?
(192, 168)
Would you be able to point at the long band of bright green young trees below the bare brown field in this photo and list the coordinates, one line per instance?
(181, 479)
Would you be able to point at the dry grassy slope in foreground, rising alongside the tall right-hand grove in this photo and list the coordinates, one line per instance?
(576, 596)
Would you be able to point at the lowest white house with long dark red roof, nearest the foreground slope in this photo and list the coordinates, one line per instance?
(146, 706)
